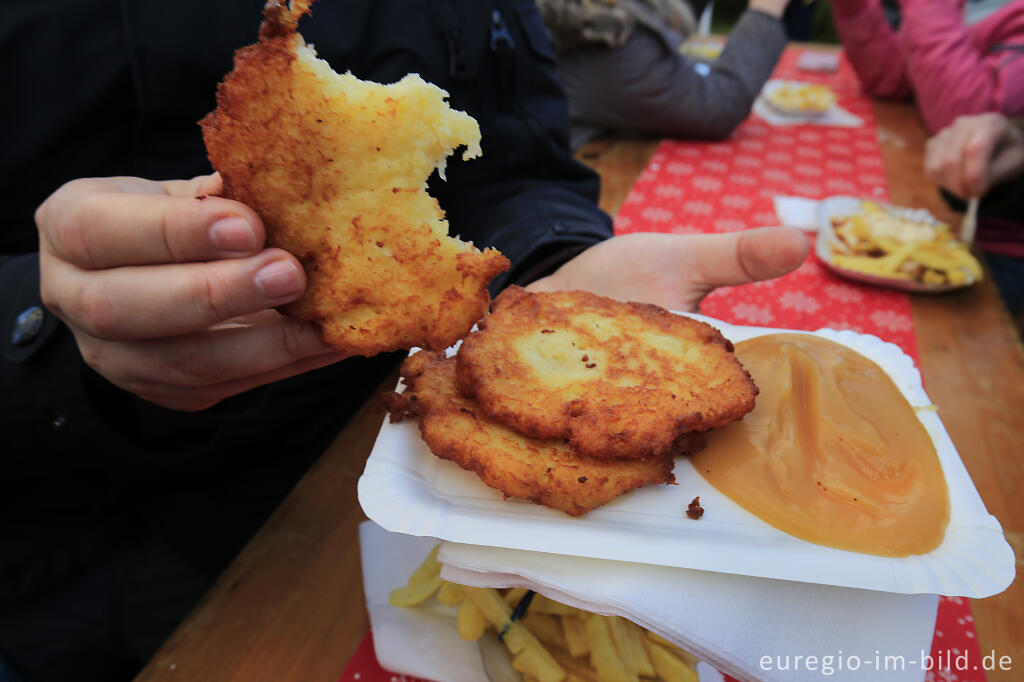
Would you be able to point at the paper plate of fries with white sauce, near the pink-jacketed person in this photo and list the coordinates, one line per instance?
(900, 248)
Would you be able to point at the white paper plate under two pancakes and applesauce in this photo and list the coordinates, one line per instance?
(406, 489)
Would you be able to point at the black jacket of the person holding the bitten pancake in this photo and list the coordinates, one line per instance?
(108, 88)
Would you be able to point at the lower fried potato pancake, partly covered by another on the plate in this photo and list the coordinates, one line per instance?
(547, 473)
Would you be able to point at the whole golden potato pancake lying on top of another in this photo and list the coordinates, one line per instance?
(618, 380)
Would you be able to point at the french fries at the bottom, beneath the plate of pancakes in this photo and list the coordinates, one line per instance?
(552, 643)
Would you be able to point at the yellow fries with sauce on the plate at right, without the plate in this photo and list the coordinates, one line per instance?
(879, 243)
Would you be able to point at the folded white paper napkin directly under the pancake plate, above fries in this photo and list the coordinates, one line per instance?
(751, 628)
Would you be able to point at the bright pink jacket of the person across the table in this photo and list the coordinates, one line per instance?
(952, 69)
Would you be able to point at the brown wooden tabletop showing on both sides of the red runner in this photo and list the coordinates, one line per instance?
(291, 606)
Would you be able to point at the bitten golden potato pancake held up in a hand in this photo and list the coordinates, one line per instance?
(337, 169)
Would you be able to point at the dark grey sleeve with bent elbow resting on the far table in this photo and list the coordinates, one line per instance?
(645, 87)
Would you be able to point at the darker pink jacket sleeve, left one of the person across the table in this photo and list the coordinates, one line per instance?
(873, 48)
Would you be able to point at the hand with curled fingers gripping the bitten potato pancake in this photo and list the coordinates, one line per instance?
(168, 290)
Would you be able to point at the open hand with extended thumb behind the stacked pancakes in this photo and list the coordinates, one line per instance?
(676, 272)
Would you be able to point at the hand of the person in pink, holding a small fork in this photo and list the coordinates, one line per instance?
(974, 154)
